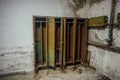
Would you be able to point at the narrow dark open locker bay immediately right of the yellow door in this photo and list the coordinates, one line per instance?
(58, 41)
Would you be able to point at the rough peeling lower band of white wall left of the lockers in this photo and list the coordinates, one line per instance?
(16, 59)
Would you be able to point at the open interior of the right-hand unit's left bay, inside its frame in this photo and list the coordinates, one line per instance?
(70, 39)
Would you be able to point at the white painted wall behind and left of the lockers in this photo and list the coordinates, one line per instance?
(16, 30)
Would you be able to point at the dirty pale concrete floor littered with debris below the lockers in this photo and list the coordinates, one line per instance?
(79, 73)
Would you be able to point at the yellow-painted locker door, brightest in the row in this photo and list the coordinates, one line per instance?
(51, 42)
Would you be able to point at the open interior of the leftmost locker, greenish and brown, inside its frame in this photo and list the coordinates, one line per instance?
(40, 40)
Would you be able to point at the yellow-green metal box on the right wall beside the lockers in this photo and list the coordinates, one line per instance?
(98, 21)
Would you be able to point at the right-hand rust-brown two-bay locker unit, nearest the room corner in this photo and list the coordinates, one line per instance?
(75, 41)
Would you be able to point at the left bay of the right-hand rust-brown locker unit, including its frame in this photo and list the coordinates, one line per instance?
(69, 40)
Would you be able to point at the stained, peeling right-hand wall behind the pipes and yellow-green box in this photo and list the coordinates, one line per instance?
(102, 59)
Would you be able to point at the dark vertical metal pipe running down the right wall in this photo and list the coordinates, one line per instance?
(112, 15)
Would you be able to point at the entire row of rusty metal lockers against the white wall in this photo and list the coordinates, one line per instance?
(60, 41)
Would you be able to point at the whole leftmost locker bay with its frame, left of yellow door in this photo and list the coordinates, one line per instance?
(40, 40)
